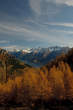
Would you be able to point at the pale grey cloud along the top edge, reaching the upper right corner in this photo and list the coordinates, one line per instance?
(39, 5)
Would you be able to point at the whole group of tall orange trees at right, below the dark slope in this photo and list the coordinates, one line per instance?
(61, 79)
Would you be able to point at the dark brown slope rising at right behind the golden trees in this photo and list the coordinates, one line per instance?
(66, 58)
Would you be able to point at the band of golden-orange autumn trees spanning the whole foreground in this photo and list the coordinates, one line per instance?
(36, 83)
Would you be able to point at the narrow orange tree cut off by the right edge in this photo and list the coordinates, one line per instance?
(68, 82)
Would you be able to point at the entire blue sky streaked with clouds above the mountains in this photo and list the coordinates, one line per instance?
(36, 23)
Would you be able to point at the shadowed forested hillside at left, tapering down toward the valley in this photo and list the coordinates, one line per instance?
(10, 66)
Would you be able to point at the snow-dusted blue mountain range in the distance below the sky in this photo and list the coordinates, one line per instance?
(38, 57)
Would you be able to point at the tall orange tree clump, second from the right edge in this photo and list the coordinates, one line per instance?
(57, 84)
